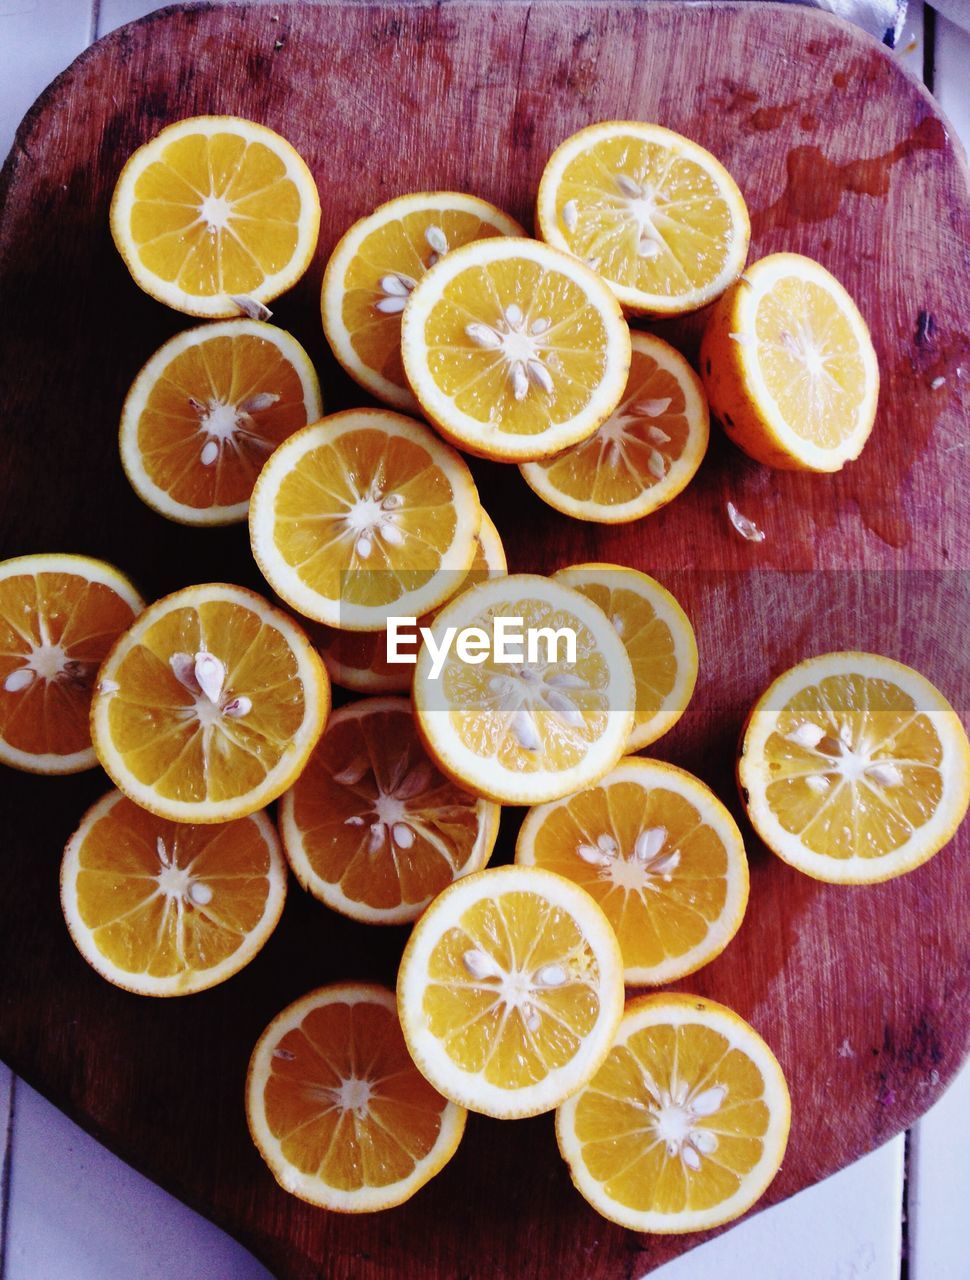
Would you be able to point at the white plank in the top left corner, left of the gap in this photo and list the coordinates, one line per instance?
(38, 40)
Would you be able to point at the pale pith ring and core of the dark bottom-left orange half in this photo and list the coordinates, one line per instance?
(349, 1096)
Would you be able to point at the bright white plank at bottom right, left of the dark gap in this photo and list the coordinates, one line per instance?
(848, 1228)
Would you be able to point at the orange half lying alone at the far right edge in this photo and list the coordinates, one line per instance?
(854, 769)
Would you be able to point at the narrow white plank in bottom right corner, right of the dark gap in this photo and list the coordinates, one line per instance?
(940, 1177)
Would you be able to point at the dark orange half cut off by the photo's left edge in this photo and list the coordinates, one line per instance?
(60, 616)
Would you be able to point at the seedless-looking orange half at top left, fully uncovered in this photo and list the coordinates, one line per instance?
(216, 214)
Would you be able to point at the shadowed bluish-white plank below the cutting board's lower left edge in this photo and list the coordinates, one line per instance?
(76, 1213)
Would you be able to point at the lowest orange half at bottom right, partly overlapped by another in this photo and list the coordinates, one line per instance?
(685, 1124)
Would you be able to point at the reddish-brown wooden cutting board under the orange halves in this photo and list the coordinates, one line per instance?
(843, 157)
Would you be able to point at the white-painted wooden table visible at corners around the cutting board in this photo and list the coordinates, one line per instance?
(72, 1212)
